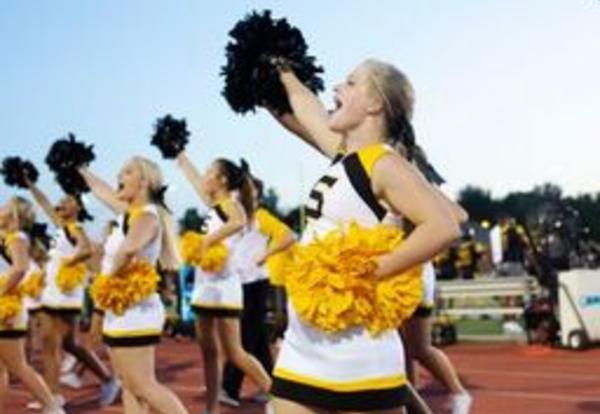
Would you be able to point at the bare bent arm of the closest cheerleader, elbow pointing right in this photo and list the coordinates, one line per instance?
(408, 194)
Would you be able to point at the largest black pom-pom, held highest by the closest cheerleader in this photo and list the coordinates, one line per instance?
(251, 79)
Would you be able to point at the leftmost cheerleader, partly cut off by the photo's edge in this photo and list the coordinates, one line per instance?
(15, 218)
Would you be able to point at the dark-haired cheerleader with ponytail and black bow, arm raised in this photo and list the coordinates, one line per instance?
(217, 297)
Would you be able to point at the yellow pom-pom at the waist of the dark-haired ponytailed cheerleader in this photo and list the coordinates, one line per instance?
(214, 258)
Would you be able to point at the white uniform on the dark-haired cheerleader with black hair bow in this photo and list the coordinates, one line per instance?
(218, 294)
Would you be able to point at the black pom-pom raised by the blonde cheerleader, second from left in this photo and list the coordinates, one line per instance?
(64, 158)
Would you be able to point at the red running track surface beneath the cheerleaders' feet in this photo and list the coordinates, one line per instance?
(504, 379)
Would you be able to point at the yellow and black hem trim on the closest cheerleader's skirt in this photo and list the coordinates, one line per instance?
(365, 395)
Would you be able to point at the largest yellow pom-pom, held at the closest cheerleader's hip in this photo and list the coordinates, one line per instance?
(332, 285)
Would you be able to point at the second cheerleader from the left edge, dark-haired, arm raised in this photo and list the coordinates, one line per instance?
(61, 304)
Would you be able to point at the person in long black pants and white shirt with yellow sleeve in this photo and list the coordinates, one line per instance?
(265, 237)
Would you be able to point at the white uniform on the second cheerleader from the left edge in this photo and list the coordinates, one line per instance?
(53, 300)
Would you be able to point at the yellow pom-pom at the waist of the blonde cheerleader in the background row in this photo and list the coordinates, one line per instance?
(123, 290)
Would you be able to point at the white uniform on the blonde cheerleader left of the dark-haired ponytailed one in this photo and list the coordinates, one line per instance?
(141, 324)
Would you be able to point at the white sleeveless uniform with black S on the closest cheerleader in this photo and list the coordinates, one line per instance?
(349, 370)
